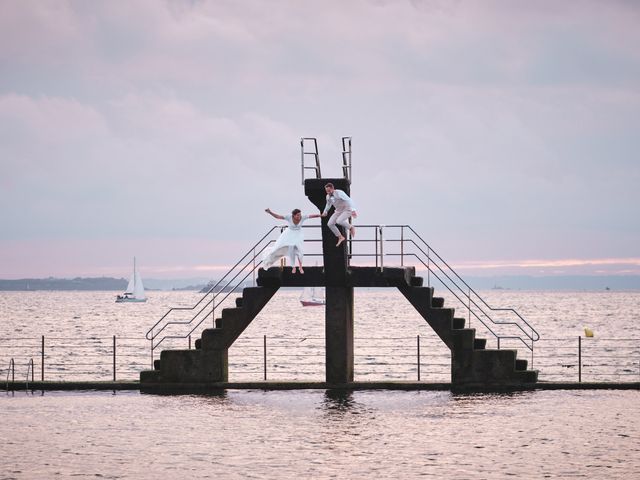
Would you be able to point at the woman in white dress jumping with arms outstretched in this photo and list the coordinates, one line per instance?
(291, 241)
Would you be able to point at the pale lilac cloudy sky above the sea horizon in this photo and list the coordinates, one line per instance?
(506, 133)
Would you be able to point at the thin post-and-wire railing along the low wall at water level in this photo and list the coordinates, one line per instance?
(420, 357)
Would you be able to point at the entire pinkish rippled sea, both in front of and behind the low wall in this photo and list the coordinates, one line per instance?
(318, 434)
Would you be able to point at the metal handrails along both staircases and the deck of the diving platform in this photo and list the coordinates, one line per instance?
(409, 246)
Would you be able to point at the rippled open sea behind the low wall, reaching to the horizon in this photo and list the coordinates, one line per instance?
(392, 341)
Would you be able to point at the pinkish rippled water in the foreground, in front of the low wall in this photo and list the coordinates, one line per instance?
(321, 434)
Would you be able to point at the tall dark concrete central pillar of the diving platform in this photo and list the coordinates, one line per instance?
(339, 296)
